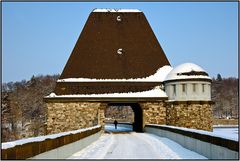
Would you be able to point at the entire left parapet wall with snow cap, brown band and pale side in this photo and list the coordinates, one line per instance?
(56, 146)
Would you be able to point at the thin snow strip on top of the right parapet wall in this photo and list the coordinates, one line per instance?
(198, 131)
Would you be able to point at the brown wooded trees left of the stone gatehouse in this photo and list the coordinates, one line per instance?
(23, 111)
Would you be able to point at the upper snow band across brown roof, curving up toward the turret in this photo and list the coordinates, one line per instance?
(159, 76)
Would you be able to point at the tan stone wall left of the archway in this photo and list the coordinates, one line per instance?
(66, 116)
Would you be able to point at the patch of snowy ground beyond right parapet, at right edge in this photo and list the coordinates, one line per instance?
(228, 132)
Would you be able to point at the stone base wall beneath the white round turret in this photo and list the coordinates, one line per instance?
(190, 115)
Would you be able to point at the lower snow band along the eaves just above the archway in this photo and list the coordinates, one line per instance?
(156, 93)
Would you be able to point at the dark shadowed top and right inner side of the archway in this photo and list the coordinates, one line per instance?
(138, 115)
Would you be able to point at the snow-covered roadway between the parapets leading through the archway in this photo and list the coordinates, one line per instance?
(132, 145)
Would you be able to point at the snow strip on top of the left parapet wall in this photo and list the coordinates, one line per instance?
(11, 144)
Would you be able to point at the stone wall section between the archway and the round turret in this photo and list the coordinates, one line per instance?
(154, 113)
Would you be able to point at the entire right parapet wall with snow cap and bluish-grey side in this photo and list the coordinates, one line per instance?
(202, 142)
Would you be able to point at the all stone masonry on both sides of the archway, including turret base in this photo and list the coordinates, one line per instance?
(66, 116)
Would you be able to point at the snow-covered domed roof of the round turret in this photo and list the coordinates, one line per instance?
(187, 71)
